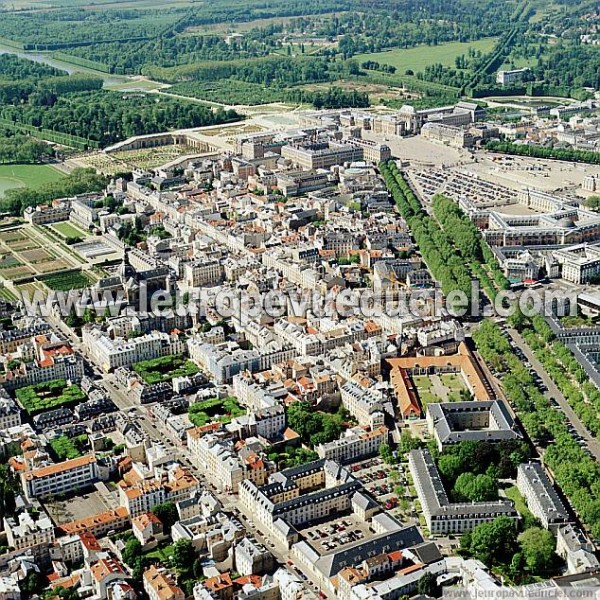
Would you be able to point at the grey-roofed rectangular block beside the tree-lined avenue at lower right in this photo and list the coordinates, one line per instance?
(542, 499)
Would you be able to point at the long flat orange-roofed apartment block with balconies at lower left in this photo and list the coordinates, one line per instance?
(61, 478)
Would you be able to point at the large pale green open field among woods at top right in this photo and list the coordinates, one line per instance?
(418, 58)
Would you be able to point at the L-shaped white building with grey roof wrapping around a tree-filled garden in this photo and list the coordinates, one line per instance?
(442, 516)
